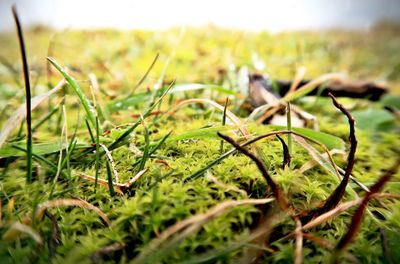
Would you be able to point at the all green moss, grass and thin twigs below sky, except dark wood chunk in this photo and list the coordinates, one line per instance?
(127, 165)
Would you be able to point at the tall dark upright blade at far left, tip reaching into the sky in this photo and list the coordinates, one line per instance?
(28, 97)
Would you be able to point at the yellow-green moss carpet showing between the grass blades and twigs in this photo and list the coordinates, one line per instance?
(166, 194)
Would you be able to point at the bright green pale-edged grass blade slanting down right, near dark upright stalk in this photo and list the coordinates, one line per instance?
(87, 105)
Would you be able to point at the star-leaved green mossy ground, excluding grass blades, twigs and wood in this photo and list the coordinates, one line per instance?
(165, 195)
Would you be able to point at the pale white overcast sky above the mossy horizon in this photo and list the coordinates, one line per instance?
(254, 15)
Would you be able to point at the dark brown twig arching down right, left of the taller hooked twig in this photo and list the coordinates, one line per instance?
(279, 195)
